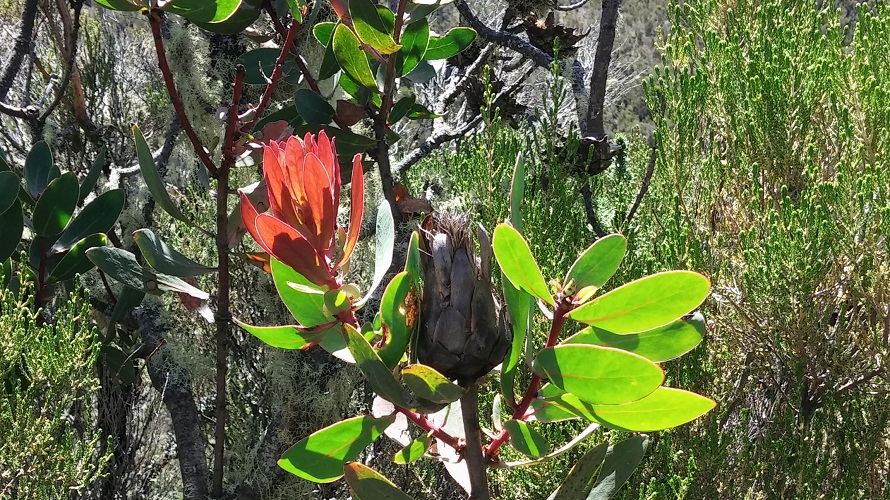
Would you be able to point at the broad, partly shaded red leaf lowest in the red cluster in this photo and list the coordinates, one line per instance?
(287, 245)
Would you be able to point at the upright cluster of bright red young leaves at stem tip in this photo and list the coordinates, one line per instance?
(303, 179)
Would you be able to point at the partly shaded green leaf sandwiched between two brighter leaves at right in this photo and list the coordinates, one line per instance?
(659, 344)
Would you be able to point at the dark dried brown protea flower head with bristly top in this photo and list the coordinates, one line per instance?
(463, 330)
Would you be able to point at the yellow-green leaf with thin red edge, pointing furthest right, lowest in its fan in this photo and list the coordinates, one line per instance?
(663, 409)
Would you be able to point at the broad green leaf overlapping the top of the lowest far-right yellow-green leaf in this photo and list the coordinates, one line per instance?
(599, 375)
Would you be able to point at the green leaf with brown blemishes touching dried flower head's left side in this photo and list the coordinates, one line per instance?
(398, 312)
